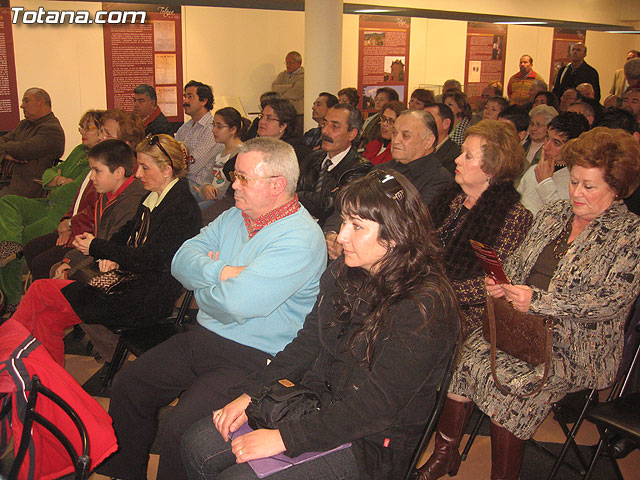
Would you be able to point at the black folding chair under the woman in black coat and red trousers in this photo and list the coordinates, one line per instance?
(139, 340)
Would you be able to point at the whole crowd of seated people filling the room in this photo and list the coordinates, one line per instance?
(339, 258)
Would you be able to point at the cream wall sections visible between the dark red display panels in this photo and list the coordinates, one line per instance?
(239, 51)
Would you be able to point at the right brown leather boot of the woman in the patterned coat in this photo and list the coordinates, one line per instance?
(506, 454)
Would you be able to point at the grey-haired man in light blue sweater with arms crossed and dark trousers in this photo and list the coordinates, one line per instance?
(255, 273)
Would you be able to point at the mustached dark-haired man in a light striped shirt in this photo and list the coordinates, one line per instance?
(197, 133)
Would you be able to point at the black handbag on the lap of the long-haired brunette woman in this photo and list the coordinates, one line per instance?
(279, 401)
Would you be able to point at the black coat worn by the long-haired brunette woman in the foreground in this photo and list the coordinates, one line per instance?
(388, 403)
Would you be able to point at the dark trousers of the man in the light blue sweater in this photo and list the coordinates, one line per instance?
(199, 367)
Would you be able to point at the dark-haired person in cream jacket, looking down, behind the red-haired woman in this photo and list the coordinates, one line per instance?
(548, 180)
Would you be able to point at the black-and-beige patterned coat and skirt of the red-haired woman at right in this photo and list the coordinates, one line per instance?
(590, 296)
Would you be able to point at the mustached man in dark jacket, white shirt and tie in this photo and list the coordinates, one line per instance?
(323, 172)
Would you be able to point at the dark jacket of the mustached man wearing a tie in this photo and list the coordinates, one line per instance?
(320, 204)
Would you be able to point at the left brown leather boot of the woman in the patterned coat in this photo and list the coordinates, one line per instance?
(446, 457)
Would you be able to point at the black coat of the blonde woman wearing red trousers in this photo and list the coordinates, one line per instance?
(150, 298)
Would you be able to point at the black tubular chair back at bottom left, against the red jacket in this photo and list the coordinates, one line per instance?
(81, 461)
